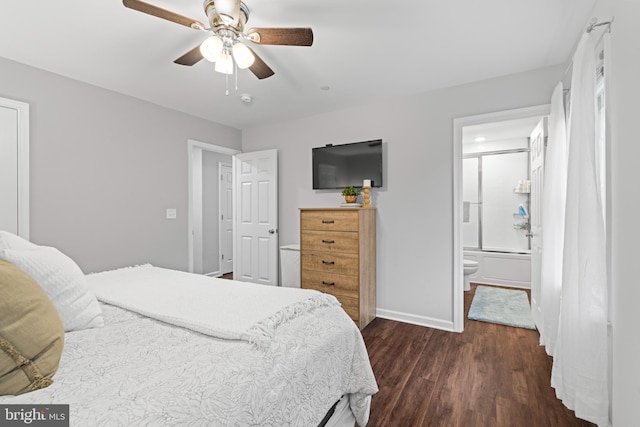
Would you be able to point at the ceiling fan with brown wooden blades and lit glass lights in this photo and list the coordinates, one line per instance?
(227, 43)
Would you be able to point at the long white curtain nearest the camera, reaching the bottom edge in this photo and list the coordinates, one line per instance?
(579, 372)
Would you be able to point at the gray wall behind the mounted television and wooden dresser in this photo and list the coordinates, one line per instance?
(414, 218)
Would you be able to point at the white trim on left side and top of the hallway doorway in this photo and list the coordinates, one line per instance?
(194, 151)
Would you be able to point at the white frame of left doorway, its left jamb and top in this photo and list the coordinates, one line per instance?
(194, 156)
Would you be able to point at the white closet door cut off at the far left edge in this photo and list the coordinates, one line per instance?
(14, 167)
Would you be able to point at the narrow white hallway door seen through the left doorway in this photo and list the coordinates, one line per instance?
(226, 218)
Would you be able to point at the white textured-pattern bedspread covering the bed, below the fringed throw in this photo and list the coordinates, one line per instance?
(137, 371)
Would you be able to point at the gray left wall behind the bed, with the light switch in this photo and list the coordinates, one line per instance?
(104, 169)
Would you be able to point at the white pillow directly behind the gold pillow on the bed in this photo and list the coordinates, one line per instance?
(63, 282)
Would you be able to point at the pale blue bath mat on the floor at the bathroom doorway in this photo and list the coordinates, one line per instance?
(503, 306)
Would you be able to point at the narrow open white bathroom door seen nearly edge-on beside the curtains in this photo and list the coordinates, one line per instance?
(537, 145)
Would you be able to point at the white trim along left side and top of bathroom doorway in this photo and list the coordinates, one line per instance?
(458, 125)
